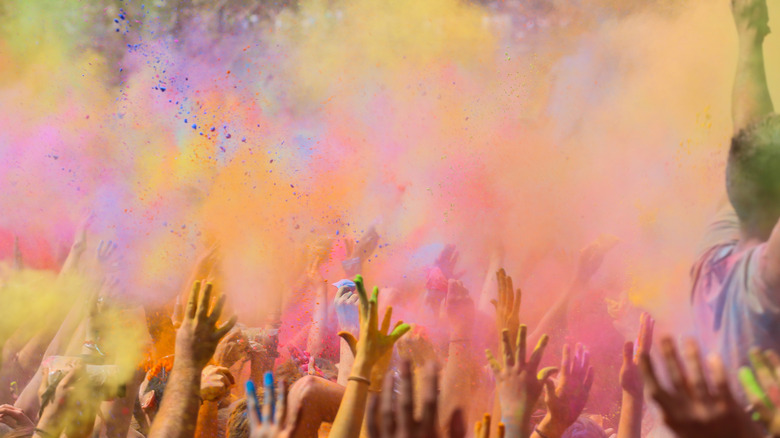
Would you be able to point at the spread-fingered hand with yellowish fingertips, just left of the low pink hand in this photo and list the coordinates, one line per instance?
(518, 384)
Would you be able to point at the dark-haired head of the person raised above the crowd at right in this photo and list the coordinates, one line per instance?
(753, 176)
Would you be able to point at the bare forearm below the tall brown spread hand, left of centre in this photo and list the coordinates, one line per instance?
(179, 409)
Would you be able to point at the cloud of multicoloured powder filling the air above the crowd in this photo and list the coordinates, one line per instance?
(519, 133)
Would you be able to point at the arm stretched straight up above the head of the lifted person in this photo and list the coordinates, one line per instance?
(750, 98)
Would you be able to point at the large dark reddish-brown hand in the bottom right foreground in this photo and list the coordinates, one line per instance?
(692, 408)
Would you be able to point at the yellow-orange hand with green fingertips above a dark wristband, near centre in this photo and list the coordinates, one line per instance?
(375, 342)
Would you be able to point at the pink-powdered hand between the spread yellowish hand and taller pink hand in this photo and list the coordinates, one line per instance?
(566, 399)
